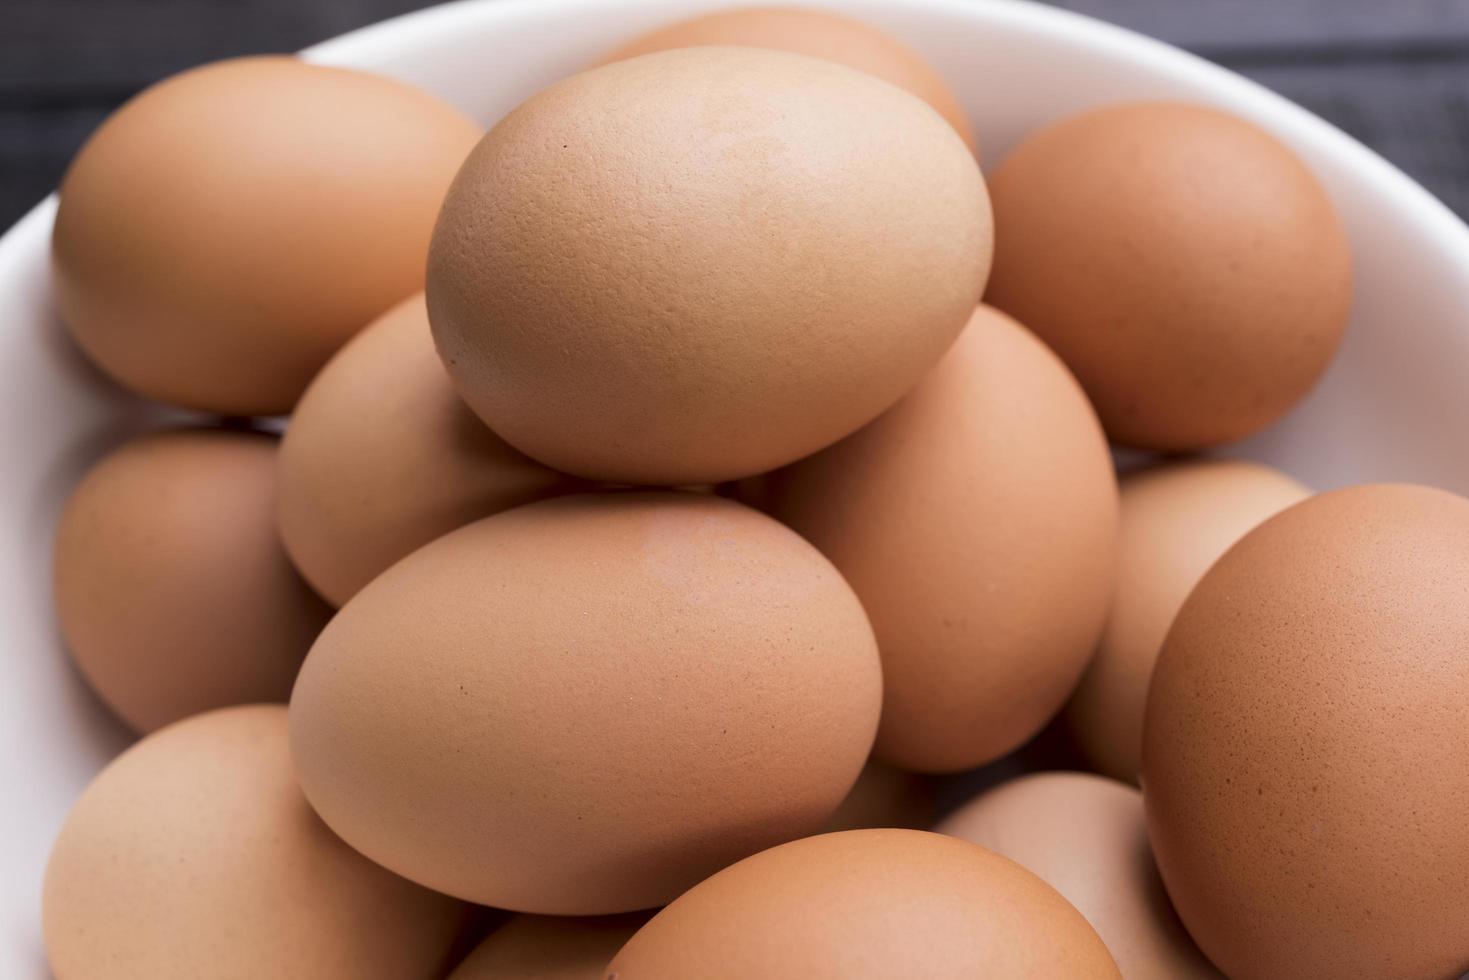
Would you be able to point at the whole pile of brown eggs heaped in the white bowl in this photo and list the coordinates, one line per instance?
(685, 481)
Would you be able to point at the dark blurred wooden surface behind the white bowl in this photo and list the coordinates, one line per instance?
(1392, 73)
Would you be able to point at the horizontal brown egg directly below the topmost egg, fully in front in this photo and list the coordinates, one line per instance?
(587, 705)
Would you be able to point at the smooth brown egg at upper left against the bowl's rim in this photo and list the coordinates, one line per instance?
(224, 233)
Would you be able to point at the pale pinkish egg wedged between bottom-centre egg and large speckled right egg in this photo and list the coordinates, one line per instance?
(1086, 837)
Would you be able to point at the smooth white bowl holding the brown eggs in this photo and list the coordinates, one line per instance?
(1390, 409)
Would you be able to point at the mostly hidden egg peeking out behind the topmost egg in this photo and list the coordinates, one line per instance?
(823, 35)
